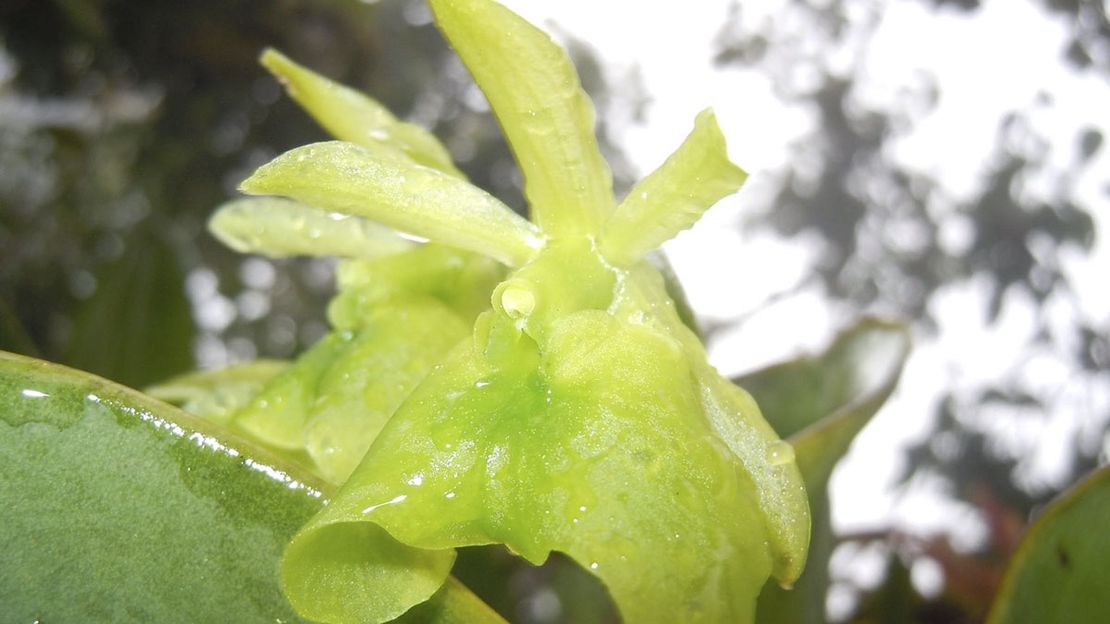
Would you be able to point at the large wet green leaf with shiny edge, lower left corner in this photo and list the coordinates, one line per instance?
(119, 508)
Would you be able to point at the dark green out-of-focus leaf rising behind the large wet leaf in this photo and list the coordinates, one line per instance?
(143, 293)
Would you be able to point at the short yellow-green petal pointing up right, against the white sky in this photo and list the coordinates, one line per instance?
(673, 197)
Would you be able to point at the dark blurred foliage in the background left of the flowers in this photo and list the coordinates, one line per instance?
(124, 125)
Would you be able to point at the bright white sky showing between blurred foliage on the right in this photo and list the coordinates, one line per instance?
(986, 65)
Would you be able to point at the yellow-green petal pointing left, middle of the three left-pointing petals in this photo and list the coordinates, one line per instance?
(349, 179)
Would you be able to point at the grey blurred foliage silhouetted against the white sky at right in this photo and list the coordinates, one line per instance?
(881, 225)
